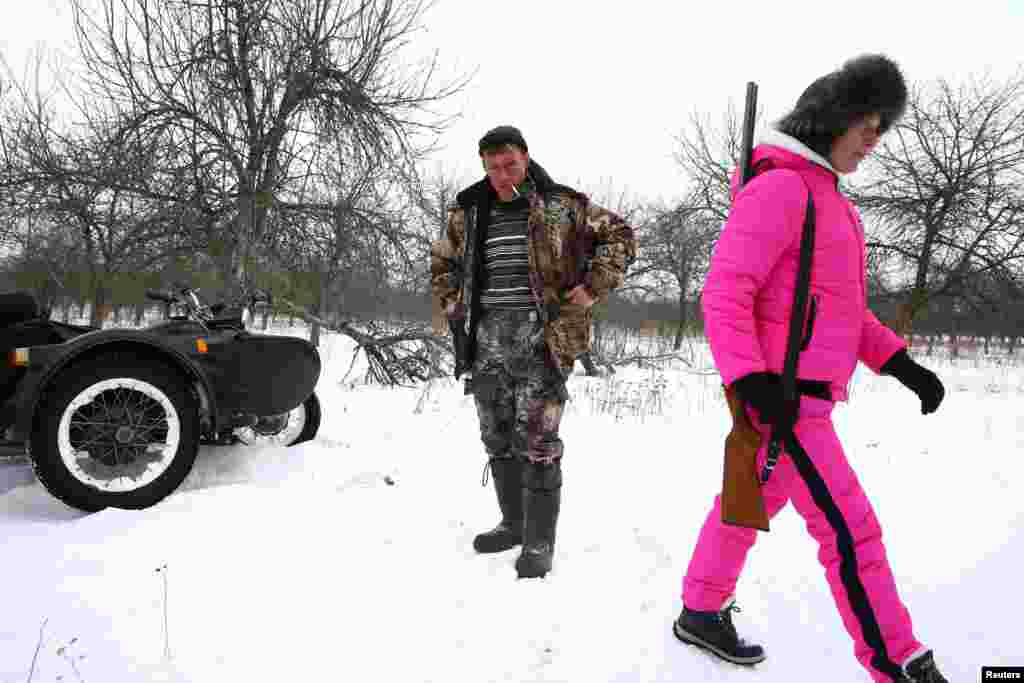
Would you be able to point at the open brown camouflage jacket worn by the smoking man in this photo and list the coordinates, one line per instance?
(571, 241)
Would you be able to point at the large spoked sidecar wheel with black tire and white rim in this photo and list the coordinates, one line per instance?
(156, 388)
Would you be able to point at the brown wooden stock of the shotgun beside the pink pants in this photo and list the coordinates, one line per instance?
(743, 504)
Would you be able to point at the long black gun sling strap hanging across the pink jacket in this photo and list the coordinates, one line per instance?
(791, 398)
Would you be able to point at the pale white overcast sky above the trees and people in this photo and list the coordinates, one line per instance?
(601, 90)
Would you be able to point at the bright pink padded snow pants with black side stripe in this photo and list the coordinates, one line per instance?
(815, 474)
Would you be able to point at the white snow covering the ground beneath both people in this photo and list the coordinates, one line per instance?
(351, 559)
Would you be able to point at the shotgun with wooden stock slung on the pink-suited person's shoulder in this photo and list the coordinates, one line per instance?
(742, 501)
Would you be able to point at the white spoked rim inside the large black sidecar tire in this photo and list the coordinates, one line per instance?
(124, 477)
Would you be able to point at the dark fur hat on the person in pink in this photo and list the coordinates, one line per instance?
(868, 84)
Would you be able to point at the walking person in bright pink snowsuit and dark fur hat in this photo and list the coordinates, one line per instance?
(747, 305)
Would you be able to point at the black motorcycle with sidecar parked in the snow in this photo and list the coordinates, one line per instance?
(115, 417)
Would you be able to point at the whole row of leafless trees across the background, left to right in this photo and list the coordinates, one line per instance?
(278, 145)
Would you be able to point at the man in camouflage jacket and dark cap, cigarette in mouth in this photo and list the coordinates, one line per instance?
(524, 262)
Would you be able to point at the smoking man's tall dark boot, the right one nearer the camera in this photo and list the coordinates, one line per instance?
(542, 498)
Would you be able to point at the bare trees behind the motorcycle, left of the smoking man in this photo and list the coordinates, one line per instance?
(271, 145)
